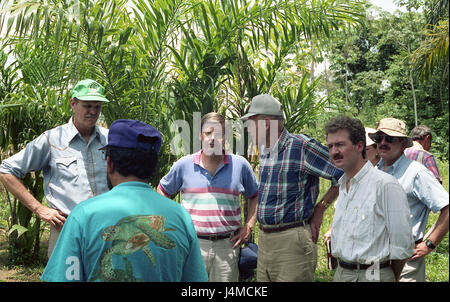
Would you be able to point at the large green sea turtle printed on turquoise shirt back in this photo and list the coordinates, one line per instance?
(131, 234)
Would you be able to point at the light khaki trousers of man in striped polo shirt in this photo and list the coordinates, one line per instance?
(221, 260)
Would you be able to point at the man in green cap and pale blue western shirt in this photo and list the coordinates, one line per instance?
(74, 168)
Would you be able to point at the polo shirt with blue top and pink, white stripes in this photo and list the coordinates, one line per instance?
(212, 200)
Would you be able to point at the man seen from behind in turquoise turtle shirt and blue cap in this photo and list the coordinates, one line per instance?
(130, 233)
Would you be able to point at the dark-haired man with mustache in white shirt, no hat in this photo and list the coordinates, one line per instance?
(371, 231)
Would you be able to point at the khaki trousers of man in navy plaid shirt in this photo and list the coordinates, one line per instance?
(287, 256)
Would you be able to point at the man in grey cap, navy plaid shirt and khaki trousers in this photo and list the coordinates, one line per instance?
(290, 168)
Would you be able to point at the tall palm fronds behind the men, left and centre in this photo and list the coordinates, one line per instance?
(160, 61)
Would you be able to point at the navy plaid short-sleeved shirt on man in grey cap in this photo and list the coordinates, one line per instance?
(289, 178)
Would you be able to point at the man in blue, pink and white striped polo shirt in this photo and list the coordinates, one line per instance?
(210, 182)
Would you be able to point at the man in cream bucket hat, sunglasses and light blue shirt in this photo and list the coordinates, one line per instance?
(423, 191)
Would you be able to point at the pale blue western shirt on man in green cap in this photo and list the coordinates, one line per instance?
(73, 169)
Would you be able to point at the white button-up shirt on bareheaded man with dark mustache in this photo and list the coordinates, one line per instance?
(371, 221)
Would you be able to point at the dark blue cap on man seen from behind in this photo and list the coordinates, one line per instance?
(133, 134)
